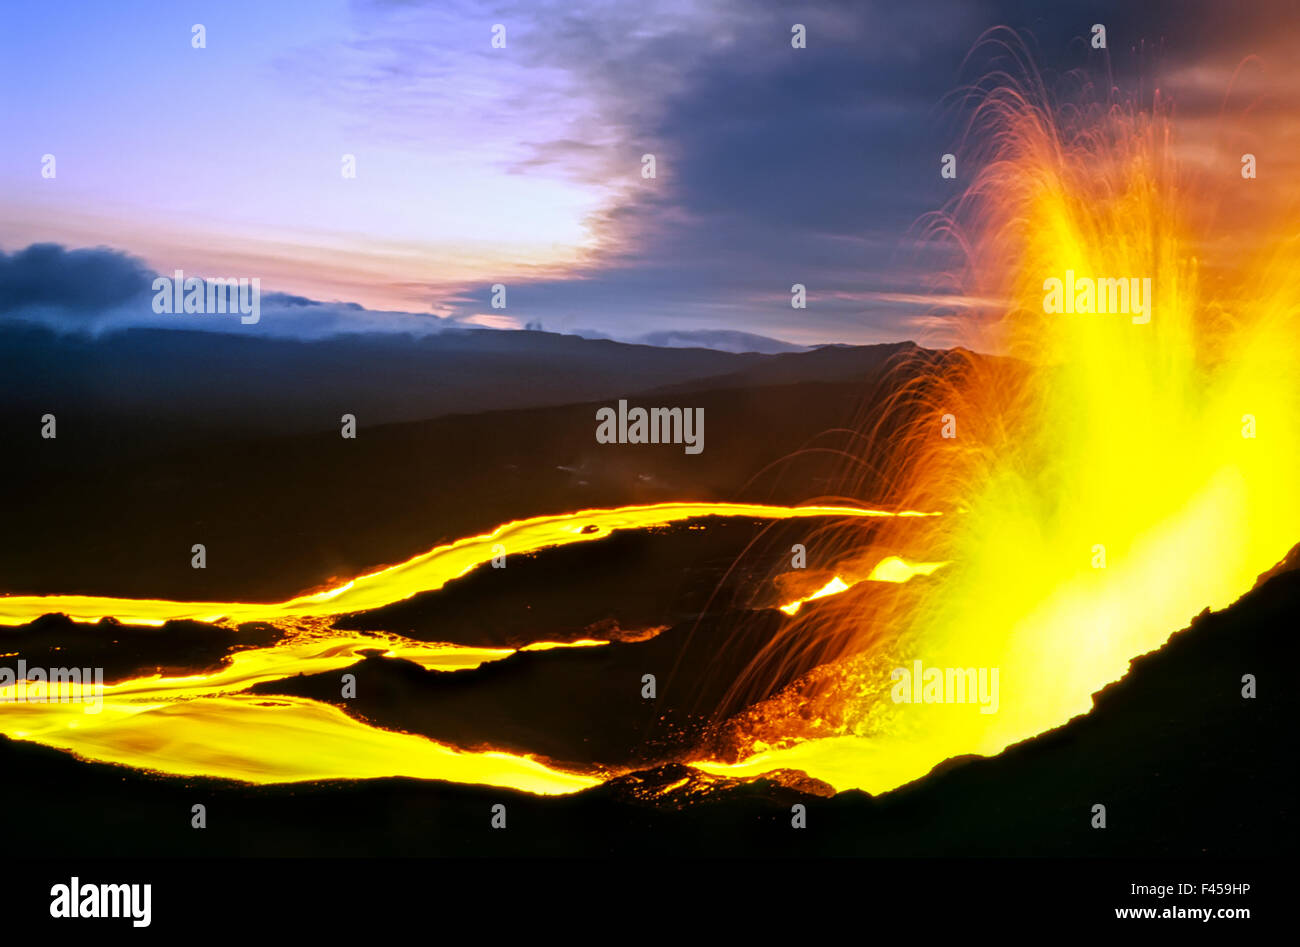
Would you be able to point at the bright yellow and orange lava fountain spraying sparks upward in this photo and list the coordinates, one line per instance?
(1111, 477)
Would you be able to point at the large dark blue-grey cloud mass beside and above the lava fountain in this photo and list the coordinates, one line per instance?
(820, 166)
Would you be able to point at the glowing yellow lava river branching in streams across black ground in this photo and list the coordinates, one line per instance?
(203, 727)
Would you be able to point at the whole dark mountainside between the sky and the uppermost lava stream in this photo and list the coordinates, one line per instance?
(180, 431)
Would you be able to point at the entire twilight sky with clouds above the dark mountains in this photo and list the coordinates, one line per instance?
(523, 166)
